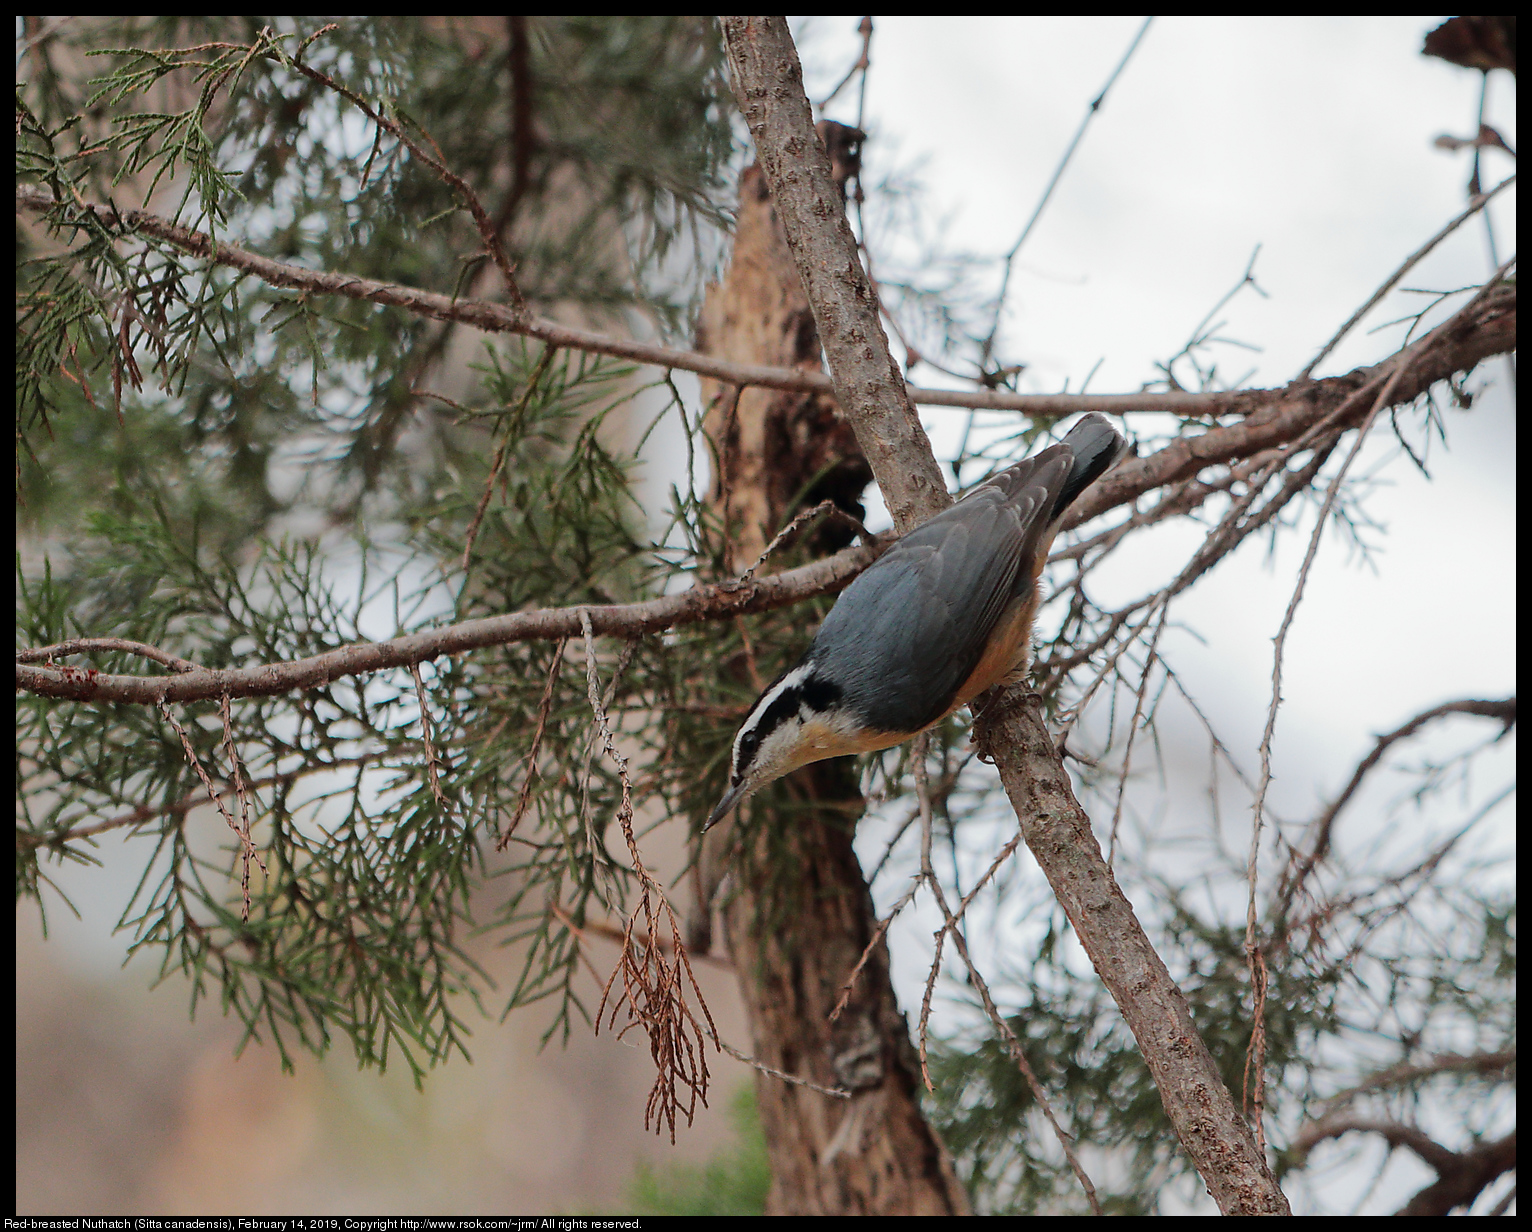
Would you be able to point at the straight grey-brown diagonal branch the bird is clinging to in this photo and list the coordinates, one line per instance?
(768, 85)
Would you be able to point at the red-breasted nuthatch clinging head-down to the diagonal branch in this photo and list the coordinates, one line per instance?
(941, 617)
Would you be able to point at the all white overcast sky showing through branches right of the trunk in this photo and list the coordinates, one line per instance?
(1311, 137)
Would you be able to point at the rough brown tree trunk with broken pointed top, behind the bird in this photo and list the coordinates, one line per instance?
(797, 908)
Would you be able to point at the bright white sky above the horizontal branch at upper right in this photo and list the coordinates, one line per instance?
(1311, 137)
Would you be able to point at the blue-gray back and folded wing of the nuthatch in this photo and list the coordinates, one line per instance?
(912, 629)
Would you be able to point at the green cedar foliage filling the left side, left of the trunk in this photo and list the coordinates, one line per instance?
(240, 474)
